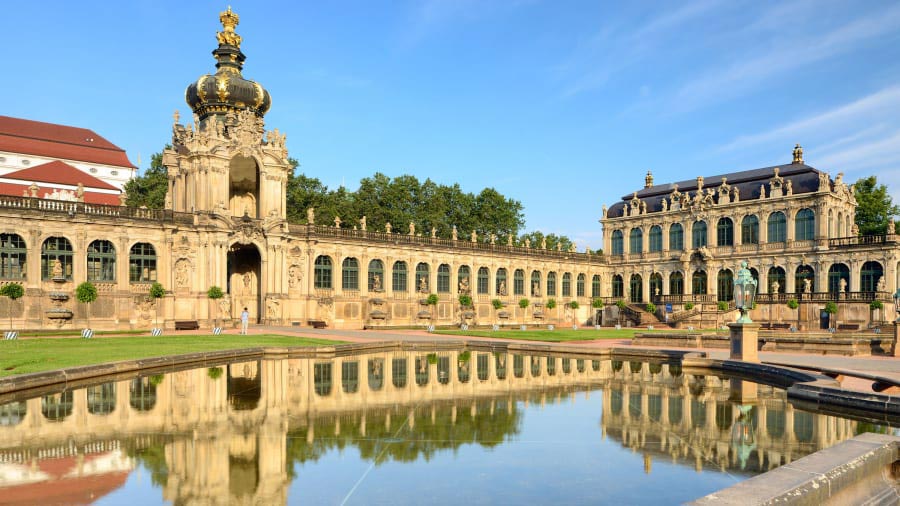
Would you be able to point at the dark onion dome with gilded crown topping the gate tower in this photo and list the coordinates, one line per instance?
(227, 90)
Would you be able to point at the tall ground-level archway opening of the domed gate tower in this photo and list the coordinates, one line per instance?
(244, 285)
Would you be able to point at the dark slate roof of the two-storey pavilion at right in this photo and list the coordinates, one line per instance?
(804, 179)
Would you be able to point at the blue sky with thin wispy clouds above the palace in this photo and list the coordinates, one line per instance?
(563, 105)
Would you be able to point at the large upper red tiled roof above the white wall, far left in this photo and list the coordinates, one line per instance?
(58, 141)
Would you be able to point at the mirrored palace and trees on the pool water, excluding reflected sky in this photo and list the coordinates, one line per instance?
(237, 432)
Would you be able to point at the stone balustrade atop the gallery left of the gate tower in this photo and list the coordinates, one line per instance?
(99, 210)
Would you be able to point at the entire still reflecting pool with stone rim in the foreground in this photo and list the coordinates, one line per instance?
(405, 427)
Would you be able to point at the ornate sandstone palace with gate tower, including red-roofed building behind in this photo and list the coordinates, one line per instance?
(224, 224)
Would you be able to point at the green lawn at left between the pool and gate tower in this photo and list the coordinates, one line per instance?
(32, 355)
